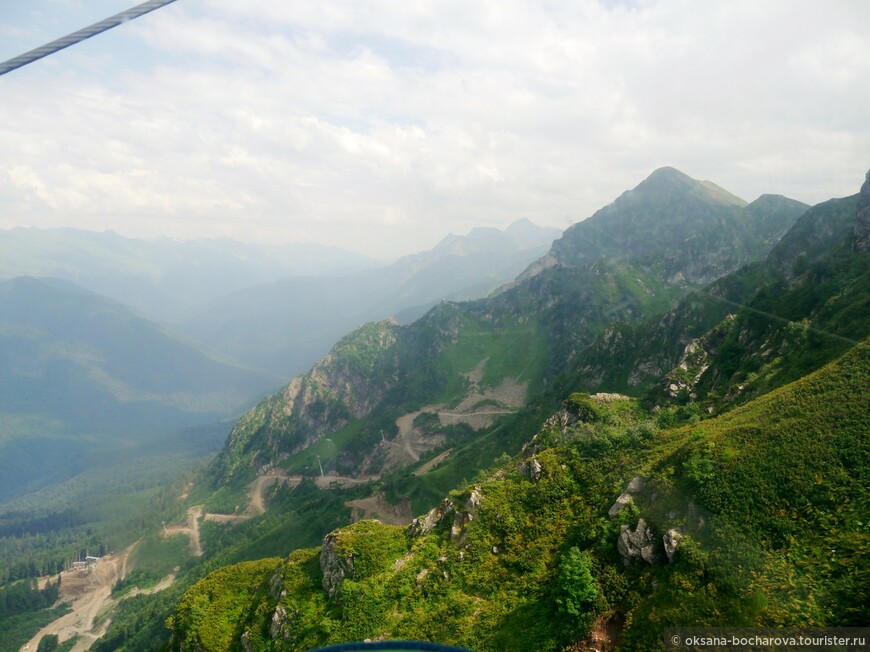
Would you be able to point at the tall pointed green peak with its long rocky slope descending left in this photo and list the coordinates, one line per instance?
(497, 355)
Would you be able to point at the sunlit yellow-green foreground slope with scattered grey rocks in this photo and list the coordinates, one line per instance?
(752, 518)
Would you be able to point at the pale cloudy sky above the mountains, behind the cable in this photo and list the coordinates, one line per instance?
(379, 126)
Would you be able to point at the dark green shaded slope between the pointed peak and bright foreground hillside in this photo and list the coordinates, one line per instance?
(804, 305)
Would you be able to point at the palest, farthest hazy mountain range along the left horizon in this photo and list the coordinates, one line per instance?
(164, 279)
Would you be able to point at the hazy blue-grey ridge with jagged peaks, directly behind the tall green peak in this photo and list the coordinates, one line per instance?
(286, 326)
